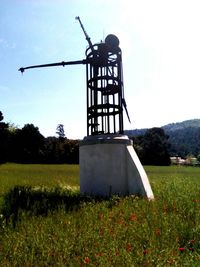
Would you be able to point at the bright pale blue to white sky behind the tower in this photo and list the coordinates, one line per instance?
(160, 42)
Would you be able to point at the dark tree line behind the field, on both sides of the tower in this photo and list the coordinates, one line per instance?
(28, 145)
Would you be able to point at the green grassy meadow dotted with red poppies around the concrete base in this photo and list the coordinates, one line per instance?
(44, 221)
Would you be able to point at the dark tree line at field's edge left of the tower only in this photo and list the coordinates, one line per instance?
(28, 145)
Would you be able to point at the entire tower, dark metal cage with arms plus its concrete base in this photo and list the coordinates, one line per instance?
(108, 162)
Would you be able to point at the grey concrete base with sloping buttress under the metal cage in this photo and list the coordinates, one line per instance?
(109, 165)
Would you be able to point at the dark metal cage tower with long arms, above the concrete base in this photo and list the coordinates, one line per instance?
(105, 89)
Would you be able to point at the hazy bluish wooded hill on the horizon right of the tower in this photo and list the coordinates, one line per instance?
(184, 137)
